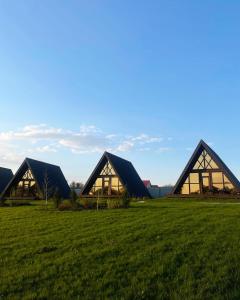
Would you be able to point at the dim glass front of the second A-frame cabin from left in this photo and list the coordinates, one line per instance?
(26, 187)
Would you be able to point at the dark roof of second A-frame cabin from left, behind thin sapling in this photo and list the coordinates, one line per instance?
(39, 170)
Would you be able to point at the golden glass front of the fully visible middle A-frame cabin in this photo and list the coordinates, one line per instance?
(107, 183)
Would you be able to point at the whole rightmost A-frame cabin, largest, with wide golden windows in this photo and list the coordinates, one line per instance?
(206, 174)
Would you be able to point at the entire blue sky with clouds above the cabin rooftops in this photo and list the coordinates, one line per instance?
(144, 79)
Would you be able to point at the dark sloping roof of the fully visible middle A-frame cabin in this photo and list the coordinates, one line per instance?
(126, 172)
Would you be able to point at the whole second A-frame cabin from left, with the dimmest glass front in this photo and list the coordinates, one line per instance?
(34, 179)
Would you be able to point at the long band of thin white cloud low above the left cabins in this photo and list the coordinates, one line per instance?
(41, 138)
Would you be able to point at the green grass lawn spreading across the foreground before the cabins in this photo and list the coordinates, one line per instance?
(160, 249)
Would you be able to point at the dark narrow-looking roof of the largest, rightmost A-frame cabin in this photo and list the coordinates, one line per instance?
(203, 146)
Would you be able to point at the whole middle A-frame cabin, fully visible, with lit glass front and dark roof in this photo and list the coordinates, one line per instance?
(112, 177)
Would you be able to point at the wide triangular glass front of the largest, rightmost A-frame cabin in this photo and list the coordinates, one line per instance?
(206, 178)
